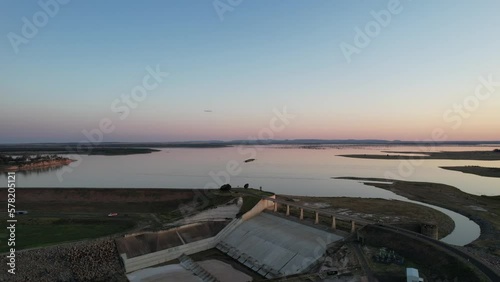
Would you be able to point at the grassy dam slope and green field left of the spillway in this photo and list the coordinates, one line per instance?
(65, 215)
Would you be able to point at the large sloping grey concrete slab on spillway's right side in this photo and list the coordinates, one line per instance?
(274, 247)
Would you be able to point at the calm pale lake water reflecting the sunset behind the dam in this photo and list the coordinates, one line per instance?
(280, 169)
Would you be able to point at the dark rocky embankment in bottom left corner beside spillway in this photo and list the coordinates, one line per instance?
(95, 260)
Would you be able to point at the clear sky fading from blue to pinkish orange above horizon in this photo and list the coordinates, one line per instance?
(228, 69)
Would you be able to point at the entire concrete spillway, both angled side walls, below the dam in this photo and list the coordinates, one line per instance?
(269, 245)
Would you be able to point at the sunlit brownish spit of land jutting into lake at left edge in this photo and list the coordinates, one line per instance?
(31, 162)
